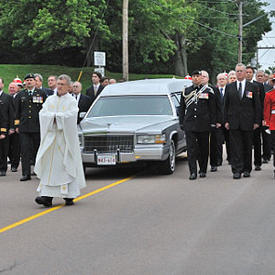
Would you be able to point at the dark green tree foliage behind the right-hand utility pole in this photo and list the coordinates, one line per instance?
(218, 32)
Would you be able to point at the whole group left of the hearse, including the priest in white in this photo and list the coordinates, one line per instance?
(36, 128)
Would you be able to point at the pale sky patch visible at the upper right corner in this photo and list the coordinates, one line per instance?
(267, 57)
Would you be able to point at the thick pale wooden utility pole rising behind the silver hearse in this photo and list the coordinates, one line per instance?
(125, 59)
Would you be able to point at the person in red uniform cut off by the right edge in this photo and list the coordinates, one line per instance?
(269, 116)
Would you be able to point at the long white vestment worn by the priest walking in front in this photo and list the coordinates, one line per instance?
(58, 161)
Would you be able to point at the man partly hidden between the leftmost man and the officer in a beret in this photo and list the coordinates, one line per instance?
(14, 142)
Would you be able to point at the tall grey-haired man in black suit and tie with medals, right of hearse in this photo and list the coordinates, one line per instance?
(242, 115)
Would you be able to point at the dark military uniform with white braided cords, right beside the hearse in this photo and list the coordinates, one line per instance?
(197, 115)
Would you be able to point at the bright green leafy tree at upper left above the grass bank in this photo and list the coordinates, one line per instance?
(52, 25)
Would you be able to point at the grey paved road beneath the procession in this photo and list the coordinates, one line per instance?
(150, 224)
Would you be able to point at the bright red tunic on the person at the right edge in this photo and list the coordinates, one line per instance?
(269, 109)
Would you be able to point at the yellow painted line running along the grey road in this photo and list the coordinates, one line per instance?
(11, 226)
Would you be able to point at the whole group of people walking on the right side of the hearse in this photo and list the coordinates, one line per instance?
(237, 111)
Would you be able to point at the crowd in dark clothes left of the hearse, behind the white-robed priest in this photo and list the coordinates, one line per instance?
(19, 116)
